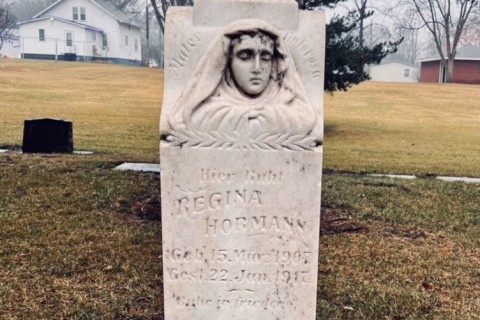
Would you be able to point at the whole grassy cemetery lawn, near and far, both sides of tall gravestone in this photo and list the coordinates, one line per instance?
(82, 241)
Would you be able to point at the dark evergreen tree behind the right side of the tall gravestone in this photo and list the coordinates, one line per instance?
(346, 54)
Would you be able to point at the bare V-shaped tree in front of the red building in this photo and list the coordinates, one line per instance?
(445, 20)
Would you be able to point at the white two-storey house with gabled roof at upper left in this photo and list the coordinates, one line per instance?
(81, 30)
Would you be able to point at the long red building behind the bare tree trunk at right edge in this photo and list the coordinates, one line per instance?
(466, 68)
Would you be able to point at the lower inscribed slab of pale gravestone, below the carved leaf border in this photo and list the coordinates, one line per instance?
(240, 233)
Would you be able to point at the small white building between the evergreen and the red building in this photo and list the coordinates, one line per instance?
(394, 71)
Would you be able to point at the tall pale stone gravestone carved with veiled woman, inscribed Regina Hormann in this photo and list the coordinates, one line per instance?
(241, 154)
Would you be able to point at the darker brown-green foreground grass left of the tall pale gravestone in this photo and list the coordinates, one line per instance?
(72, 243)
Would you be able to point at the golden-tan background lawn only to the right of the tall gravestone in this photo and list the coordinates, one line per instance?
(404, 128)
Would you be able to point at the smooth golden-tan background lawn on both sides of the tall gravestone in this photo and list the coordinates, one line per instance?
(374, 127)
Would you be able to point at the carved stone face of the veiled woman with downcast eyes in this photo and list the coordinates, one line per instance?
(251, 63)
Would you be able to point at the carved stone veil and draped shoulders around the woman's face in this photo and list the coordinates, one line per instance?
(211, 101)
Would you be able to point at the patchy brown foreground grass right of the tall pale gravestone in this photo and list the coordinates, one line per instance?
(414, 253)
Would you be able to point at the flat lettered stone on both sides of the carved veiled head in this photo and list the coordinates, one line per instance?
(186, 44)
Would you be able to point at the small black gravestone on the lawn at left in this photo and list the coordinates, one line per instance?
(47, 136)
